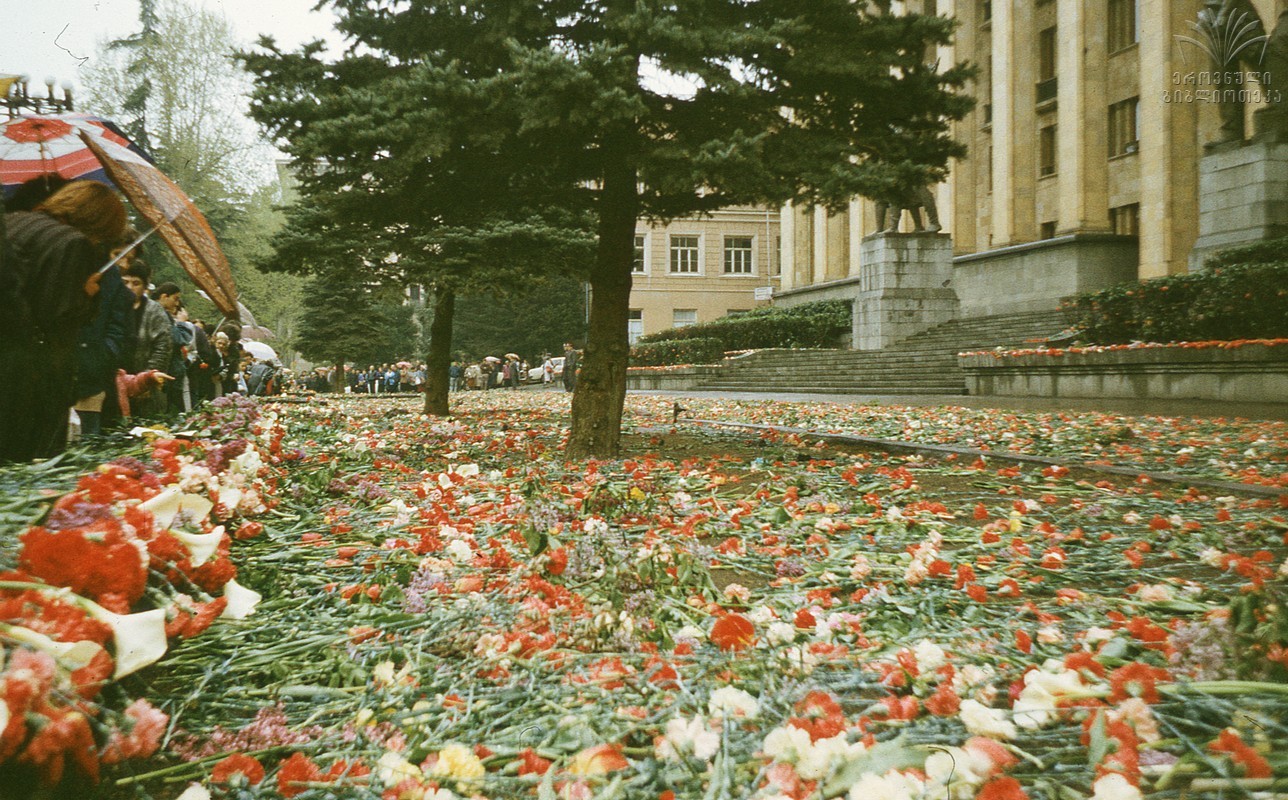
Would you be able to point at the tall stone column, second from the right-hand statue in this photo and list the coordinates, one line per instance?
(1084, 114)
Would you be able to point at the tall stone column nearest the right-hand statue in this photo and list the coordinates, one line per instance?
(1169, 153)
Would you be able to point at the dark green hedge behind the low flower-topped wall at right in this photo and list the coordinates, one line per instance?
(1241, 294)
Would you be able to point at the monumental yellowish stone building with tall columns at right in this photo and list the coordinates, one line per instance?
(1095, 153)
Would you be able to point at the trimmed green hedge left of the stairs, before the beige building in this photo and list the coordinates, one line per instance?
(813, 325)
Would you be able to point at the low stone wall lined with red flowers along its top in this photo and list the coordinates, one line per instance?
(1251, 373)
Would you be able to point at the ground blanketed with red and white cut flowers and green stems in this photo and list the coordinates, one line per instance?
(361, 602)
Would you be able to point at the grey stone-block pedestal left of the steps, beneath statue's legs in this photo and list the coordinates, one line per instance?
(905, 288)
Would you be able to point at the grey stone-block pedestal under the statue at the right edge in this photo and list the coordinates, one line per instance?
(1244, 196)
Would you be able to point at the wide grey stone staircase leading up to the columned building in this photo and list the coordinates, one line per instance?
(925, 364)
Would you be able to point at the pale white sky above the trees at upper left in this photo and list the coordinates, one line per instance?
(53, 38)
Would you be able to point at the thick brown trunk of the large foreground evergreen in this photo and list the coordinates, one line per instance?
(601, 392)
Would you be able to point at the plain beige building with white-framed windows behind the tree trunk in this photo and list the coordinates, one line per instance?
(703, 269)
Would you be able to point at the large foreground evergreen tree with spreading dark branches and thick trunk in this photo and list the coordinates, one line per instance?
(560, 102)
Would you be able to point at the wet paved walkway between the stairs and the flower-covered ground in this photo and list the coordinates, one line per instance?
(1135, 408)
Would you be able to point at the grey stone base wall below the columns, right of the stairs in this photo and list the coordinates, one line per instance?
(1037, 276)
